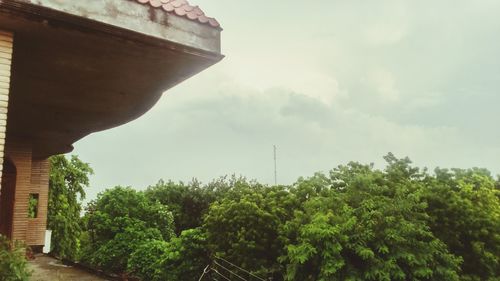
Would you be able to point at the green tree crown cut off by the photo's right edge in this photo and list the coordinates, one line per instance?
(464, 209)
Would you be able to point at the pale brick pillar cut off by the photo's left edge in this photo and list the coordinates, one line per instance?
(6, 47)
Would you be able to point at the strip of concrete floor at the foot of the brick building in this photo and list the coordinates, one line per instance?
(48, 269)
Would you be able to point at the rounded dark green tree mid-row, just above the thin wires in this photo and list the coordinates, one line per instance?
(245, 227)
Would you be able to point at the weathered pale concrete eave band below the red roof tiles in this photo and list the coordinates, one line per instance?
(128, 20)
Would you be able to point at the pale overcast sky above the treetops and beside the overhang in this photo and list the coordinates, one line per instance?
(327, 82)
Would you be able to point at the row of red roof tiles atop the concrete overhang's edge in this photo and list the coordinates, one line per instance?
(183, 9)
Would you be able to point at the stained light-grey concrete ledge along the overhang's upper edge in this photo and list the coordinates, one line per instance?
(137, 18)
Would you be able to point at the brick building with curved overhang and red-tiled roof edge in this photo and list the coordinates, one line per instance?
(70, 68)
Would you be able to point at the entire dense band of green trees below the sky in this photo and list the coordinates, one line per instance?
(354, 223)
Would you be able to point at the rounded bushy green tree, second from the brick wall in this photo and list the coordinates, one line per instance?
(118, 222)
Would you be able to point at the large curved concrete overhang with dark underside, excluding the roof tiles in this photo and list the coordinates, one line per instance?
(84, 66)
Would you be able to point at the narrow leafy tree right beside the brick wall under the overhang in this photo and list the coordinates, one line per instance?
(68, 178)
